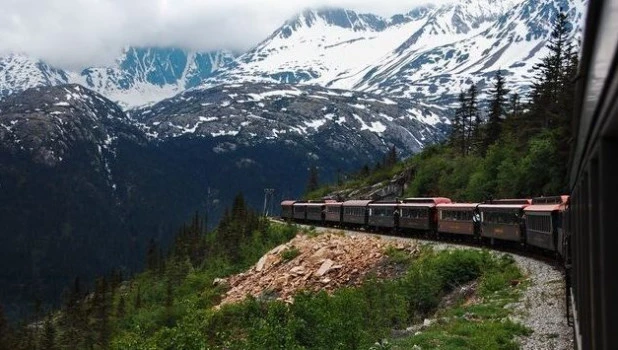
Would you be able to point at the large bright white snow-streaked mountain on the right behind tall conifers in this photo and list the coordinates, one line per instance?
(428, 54)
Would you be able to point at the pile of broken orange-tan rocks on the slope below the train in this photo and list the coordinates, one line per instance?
(326, 262)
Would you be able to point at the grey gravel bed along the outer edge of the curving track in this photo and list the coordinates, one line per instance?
(542, 306)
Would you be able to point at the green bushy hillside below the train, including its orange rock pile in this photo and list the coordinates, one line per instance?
(365, 290)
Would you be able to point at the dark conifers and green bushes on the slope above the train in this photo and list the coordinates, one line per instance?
(520, 150)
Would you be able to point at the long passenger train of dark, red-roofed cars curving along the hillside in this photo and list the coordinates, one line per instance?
(536, 222)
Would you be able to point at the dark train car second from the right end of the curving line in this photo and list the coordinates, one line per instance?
(504, 220)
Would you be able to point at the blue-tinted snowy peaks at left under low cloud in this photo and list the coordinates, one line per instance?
(139, 76)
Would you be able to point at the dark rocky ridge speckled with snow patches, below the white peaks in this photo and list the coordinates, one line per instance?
(317, 120)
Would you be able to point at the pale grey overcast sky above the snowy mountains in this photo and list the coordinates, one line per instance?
(78, 33)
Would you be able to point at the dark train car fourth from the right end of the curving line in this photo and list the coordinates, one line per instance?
(420, 213)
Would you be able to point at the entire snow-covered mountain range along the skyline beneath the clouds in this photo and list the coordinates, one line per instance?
(428, 54)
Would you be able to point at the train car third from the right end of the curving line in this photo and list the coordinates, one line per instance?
(458, 218)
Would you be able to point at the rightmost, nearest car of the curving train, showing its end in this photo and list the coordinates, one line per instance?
(544, 222)
